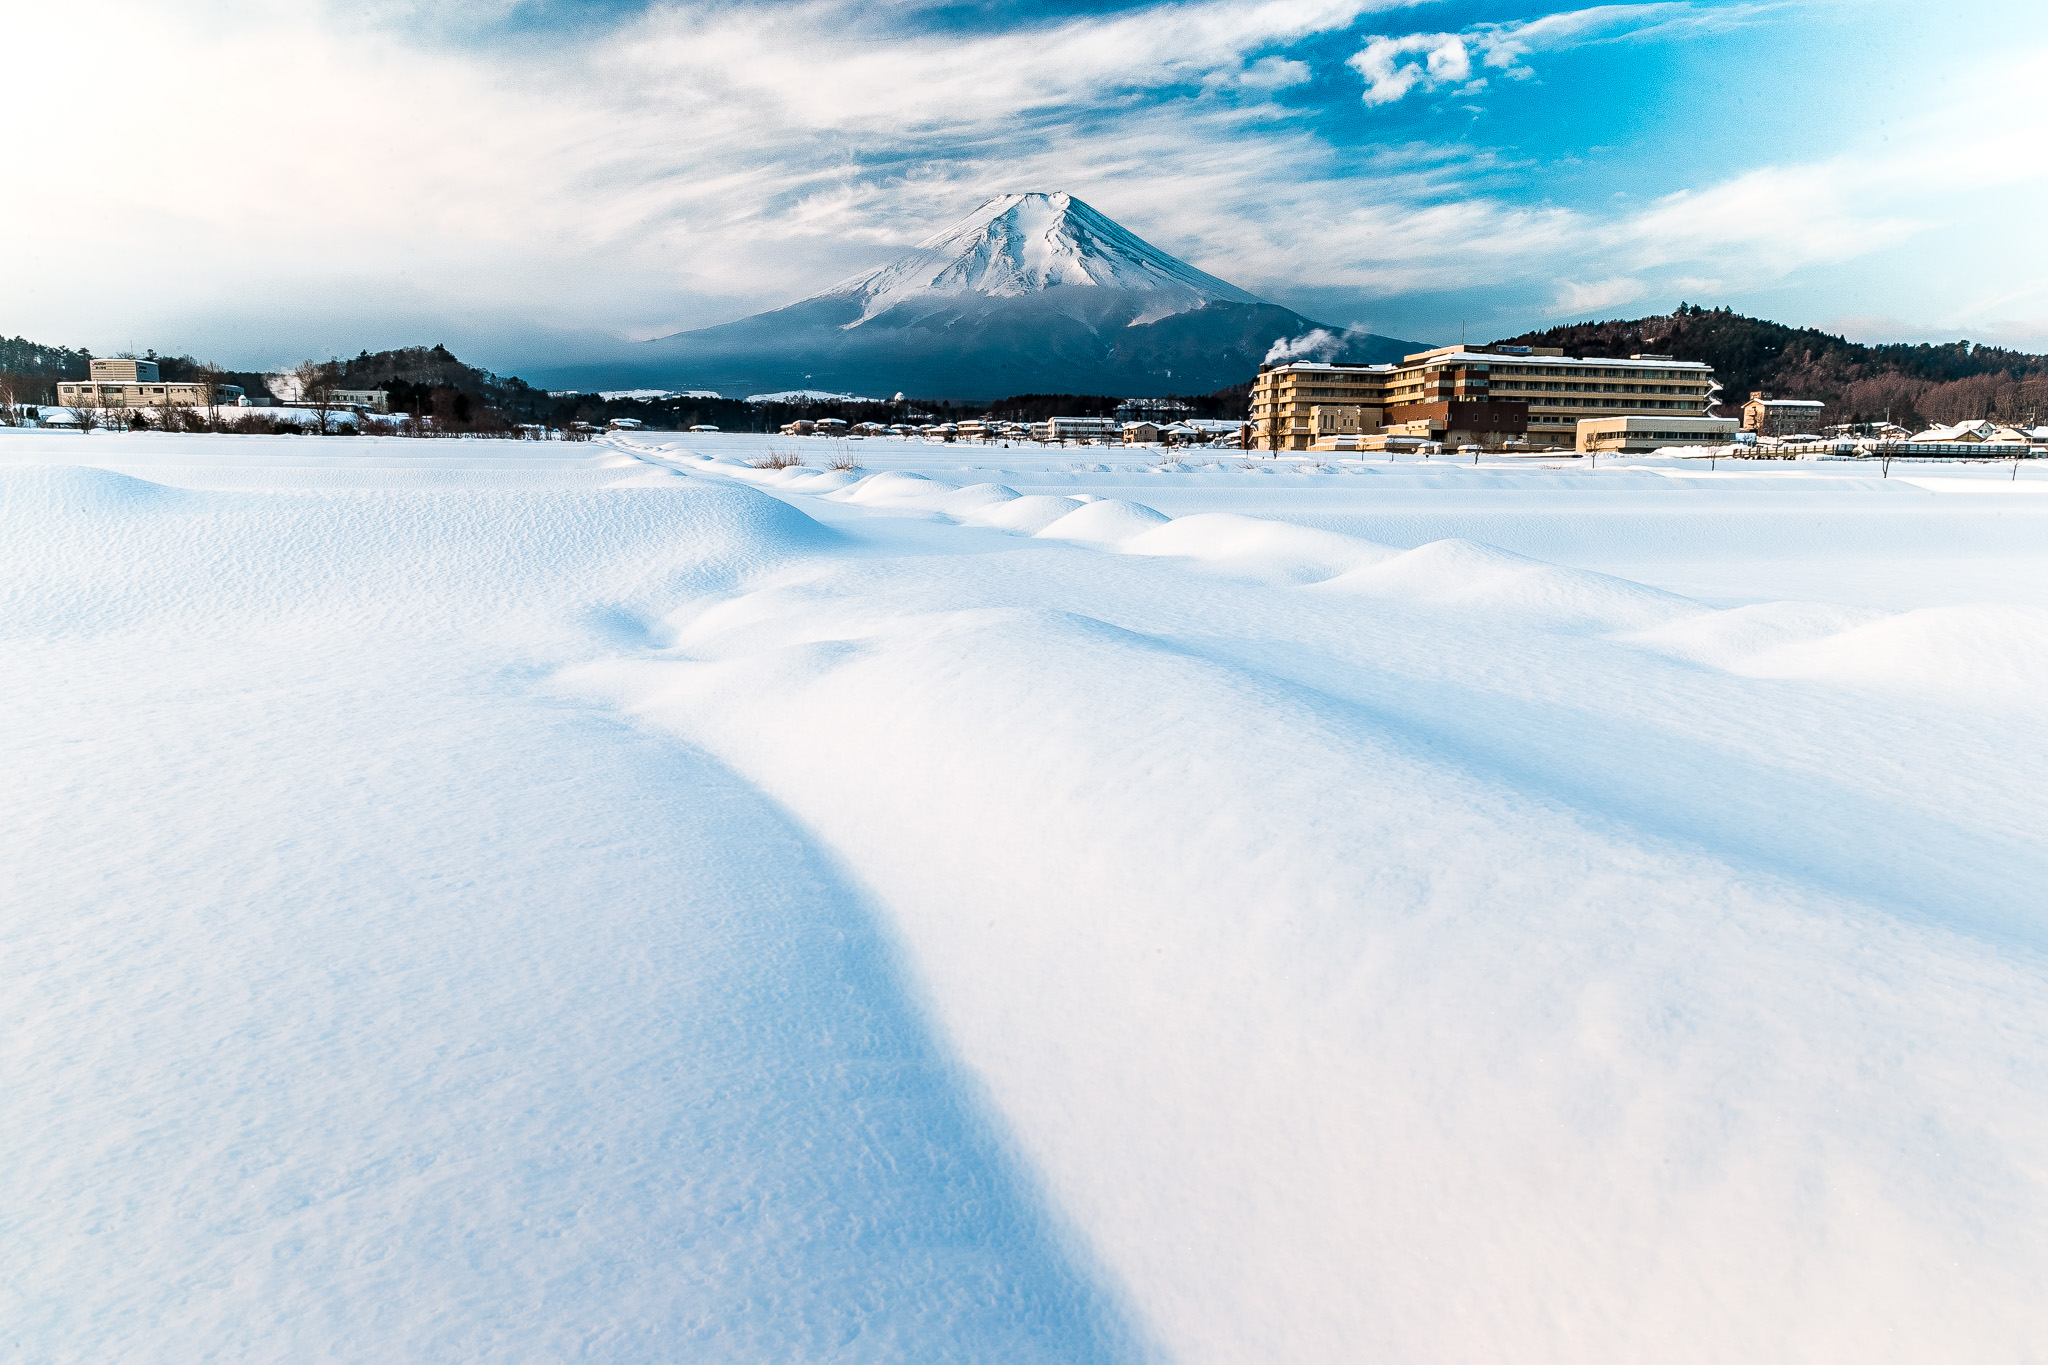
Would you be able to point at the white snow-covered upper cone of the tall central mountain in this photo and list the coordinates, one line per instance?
(1033, 245)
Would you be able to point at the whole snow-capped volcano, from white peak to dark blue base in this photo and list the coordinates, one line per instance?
(1031, 294)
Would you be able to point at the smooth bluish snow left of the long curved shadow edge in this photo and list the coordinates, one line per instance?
(370, 1002)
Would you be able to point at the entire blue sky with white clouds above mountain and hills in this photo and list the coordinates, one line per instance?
(540, 181)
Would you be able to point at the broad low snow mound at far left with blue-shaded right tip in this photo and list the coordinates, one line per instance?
(103, 552)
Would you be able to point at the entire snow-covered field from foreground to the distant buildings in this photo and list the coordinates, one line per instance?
(609, 901)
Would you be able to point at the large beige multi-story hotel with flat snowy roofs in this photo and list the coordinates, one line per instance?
(1469, 396)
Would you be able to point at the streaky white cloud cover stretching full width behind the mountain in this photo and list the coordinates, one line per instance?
(710, 163)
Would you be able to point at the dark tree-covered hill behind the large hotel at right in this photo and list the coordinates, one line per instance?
(1861, 384)
